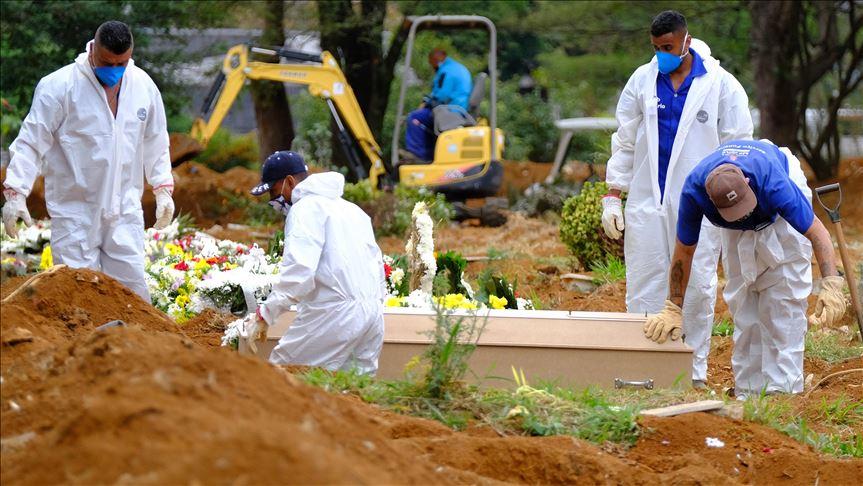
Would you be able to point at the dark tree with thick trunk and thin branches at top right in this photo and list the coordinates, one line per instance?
(800, 50)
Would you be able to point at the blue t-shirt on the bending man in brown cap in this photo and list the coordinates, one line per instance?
(767, 169)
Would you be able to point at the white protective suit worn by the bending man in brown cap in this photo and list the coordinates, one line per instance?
(769, 276)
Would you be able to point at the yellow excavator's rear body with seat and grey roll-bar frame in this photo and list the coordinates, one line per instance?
(468, 149)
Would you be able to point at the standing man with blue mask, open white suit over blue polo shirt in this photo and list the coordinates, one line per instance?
(674, 111)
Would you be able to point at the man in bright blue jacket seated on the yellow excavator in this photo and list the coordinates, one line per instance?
(451, 86)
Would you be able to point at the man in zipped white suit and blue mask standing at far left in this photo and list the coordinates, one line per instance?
(96, 130)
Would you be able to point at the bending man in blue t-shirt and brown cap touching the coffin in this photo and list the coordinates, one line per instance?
(757, 194)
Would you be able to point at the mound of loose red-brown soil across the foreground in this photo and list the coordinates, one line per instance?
(145, 404)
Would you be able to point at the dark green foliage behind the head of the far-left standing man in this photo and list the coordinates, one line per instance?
(39, 37)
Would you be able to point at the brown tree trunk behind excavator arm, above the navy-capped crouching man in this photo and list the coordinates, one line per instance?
(272, 110)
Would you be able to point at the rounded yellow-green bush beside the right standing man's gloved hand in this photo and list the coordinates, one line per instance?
(581, 227)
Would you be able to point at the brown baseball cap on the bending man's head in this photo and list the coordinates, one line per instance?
(728, 190)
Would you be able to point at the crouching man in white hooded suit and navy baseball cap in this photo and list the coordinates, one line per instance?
(332, 269)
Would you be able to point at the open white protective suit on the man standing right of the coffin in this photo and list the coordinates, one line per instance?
(716, 110)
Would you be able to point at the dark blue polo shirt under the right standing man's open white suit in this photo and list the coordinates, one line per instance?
(669, 109)
